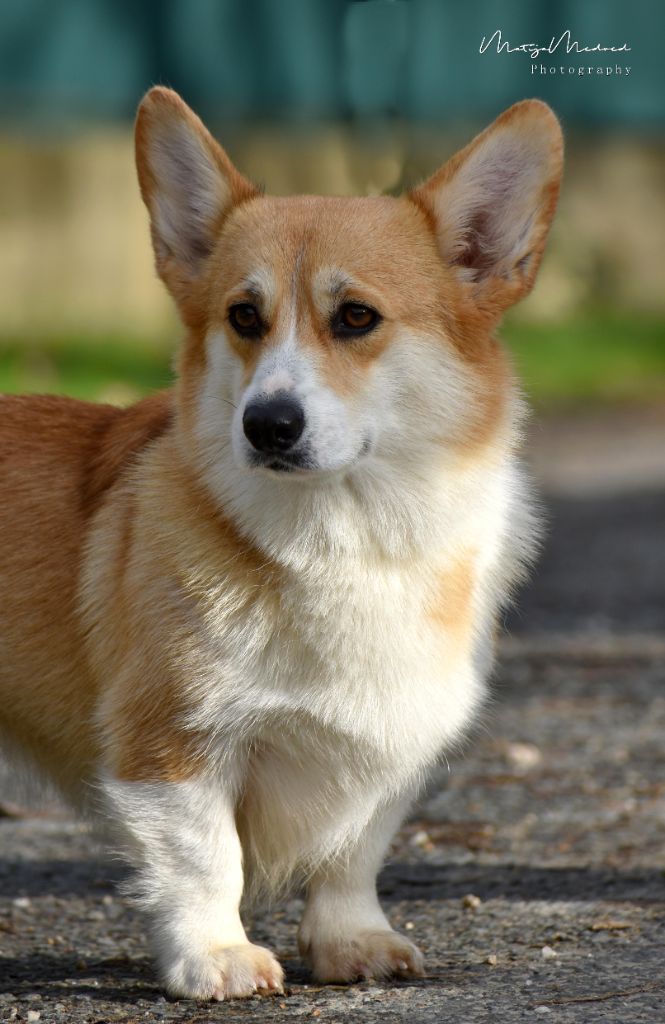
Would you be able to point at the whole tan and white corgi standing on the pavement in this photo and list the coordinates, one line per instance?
(240, 621)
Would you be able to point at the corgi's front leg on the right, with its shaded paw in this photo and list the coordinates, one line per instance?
(345, 934)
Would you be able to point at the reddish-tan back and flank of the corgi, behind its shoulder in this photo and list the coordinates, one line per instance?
(59, 460)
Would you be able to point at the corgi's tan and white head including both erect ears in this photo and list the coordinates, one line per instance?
(326, 335)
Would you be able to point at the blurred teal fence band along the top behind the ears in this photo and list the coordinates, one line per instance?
(306, 60)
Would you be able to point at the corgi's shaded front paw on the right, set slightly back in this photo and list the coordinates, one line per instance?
(365, 955)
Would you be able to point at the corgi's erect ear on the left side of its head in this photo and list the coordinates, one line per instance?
(189, 186)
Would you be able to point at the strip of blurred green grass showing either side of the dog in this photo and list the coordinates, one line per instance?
(602, 358)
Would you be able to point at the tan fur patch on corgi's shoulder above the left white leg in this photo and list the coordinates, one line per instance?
(176, 529)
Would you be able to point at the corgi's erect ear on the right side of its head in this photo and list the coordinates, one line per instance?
(493, 202)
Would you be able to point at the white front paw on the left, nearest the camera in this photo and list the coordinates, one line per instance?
(228, 973)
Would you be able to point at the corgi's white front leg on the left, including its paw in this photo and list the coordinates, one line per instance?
(182, 838)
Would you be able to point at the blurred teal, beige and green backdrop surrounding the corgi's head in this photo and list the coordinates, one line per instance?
(339, 97)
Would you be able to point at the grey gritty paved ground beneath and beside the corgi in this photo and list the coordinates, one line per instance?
(533, 875)
